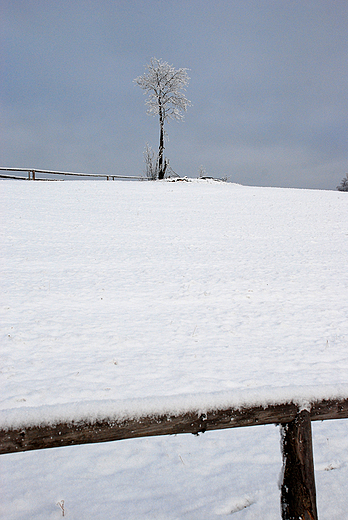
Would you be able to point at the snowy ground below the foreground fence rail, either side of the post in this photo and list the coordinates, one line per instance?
(169, 478)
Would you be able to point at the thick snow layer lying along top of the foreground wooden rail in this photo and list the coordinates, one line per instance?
(120, 410)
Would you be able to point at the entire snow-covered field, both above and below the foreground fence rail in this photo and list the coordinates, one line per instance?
(121, 296)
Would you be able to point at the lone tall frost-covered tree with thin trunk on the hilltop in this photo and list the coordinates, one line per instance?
(166, 88)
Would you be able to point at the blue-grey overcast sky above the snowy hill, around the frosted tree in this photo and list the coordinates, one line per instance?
(268, 87)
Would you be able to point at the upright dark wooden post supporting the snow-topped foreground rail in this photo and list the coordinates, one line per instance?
(298, 495)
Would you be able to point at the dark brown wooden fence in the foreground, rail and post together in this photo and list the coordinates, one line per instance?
(298, 494)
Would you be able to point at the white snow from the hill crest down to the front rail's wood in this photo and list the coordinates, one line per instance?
(169, 296)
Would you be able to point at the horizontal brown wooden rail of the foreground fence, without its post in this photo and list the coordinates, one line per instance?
(85, 432)
